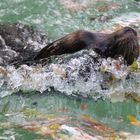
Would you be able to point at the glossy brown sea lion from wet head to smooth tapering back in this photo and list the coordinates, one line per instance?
(123, 42)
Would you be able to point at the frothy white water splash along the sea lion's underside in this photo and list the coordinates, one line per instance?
(82, 73)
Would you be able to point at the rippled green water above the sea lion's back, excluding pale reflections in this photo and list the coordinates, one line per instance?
(53, 18)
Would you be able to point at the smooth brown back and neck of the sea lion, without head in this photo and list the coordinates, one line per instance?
(74, 42)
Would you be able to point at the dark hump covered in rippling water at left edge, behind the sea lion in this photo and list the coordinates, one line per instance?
(19, 42)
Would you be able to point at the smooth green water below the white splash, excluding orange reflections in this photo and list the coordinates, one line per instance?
(113, 115)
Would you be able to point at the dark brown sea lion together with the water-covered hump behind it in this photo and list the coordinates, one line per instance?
(20, 43)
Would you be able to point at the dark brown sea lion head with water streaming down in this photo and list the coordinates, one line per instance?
(124, 42)
